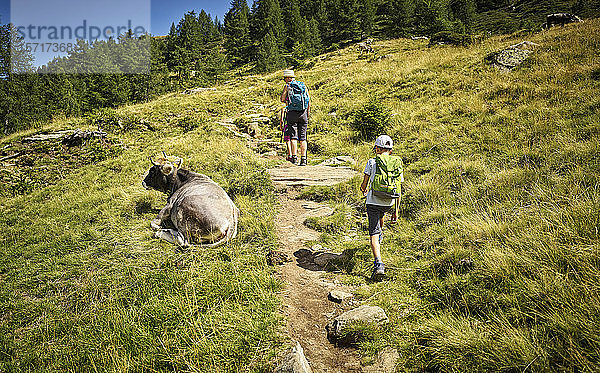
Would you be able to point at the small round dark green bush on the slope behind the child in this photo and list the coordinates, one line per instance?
(371, 120)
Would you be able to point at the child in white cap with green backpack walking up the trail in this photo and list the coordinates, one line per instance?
(383, 175)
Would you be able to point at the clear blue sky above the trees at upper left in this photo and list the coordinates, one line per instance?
(51, 27)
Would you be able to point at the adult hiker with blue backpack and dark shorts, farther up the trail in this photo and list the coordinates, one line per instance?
(295, 95)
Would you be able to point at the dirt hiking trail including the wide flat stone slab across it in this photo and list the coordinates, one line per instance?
(305, 302)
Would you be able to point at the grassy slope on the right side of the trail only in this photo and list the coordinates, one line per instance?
(495, 263)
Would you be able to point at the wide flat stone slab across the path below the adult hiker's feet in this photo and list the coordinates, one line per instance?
(291, 175)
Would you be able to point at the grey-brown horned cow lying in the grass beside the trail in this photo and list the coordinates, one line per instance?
(198, 210)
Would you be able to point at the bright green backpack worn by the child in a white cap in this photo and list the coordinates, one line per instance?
(388, 176)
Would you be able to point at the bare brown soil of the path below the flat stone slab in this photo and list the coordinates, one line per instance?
(305, 302)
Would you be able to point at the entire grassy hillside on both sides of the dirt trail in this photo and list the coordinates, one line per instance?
(493, 266)
